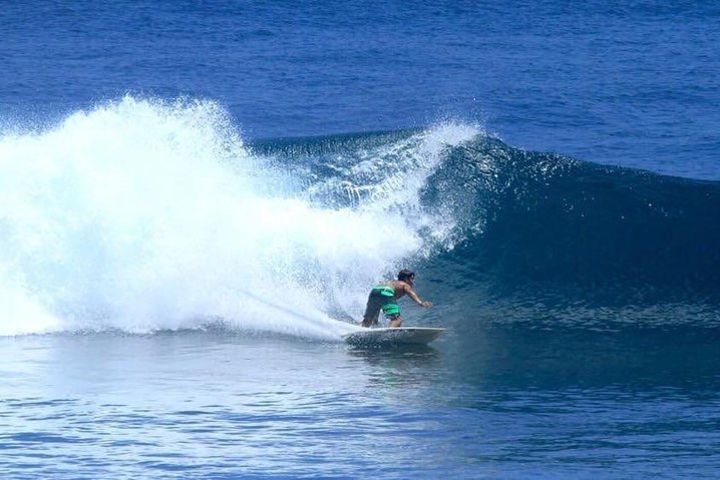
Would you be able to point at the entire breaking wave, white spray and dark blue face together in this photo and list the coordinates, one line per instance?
(142, 215)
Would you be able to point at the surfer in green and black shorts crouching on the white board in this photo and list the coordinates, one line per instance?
(384, 296)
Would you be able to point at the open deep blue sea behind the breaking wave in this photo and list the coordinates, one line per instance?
(616, 82)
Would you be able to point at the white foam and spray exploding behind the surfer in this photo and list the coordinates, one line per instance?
(143, 215)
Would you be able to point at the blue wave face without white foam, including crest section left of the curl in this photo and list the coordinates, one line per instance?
(537, 237)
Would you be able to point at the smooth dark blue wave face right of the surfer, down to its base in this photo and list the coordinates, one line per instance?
(549, 239)
